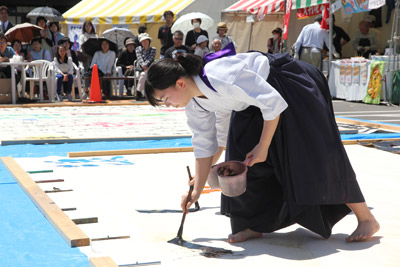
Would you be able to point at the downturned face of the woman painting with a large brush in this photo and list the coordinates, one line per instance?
(176, 96)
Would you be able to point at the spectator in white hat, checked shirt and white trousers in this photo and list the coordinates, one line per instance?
(145, 55)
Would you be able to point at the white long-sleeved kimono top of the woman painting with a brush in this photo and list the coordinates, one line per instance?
(239, 81)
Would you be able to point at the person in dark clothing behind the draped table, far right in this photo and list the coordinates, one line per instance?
(365, 41)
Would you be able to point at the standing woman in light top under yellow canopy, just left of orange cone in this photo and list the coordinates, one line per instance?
(88, 32)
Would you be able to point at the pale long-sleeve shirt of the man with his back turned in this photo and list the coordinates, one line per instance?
(312, 36)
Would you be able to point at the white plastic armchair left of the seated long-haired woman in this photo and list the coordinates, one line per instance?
(48, 75)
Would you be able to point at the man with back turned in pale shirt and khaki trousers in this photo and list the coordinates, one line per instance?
(309, 44)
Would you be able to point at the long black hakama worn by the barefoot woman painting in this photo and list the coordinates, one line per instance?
(307, 177)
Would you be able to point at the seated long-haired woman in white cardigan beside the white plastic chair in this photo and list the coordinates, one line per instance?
(64, 69)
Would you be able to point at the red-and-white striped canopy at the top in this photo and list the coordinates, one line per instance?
(257, 6)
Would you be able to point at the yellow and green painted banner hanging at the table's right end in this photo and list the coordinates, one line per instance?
(375, 83)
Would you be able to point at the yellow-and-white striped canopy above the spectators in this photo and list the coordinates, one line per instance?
(122, 11)
